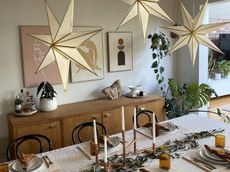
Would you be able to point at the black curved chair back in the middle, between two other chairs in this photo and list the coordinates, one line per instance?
(79, 128)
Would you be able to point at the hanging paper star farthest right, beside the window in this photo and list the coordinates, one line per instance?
(193, 32)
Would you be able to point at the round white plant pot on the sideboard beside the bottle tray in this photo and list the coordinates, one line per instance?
(47, 104)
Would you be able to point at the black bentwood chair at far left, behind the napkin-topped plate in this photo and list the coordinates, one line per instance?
(13, 148)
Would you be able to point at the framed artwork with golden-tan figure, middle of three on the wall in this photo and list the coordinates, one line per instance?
(92, 51)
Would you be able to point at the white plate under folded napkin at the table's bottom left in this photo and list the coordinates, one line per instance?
(34, 164)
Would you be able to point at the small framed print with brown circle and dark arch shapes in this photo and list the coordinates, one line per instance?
(120, 51)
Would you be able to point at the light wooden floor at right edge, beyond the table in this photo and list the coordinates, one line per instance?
(221, 103)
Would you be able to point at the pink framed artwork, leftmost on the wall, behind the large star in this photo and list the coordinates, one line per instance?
(33, 52)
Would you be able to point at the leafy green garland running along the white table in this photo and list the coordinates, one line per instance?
(190, 141)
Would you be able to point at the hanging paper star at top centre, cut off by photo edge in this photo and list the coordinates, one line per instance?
(143, 8)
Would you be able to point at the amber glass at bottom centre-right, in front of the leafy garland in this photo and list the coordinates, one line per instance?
(164, 159)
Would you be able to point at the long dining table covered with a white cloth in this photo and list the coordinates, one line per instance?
(77, 158)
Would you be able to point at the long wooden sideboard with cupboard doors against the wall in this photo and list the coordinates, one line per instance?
(58, 125)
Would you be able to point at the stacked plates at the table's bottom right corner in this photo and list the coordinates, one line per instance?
(206, 155)
